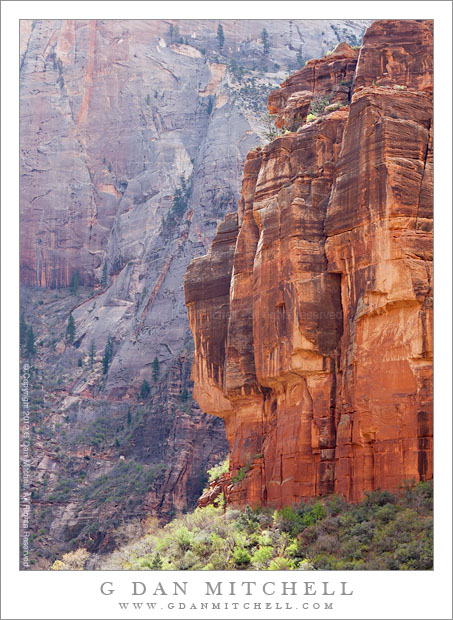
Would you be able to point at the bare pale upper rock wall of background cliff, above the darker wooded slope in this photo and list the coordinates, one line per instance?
(120, 118)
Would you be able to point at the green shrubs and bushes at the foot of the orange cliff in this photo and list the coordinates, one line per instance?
(383, 532)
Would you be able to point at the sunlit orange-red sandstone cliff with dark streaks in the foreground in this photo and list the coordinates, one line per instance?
(326, 382)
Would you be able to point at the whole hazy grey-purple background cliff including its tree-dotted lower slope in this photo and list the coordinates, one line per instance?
(115, 116)
